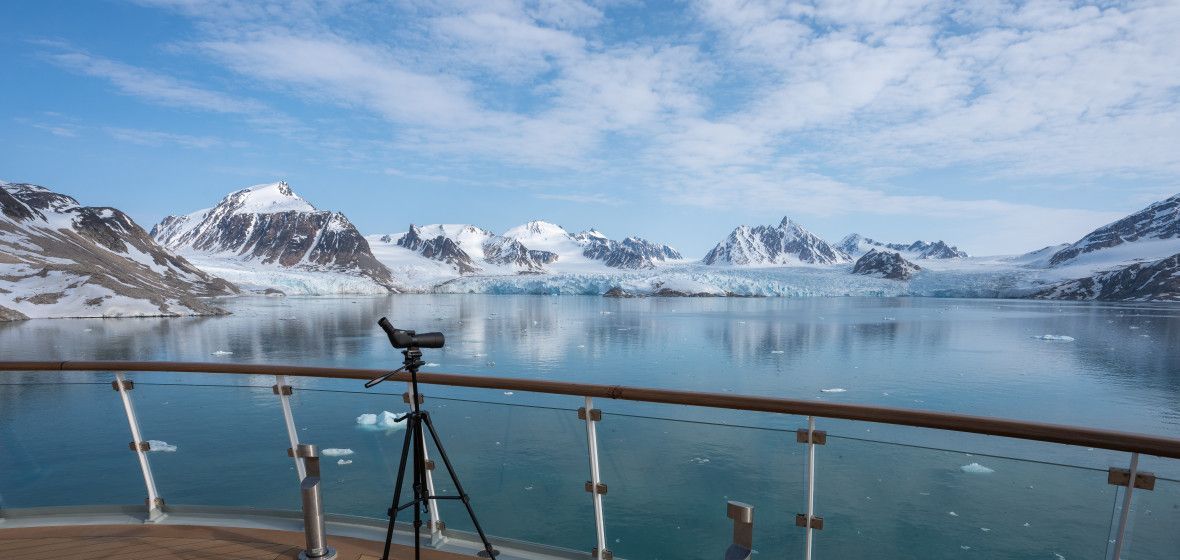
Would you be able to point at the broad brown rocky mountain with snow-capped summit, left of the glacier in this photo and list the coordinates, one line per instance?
(267, 236)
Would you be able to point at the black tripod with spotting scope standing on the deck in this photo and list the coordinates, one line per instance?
(417, 418)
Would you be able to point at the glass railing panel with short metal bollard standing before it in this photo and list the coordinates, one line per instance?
(668, 483)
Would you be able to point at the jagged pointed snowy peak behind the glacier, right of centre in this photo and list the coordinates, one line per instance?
(788, 243)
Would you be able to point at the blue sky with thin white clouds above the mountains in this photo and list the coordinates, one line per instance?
(998, 127)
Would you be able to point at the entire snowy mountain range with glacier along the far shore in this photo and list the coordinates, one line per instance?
(60, 259)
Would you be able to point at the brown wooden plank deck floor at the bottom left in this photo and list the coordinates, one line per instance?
(180, 543)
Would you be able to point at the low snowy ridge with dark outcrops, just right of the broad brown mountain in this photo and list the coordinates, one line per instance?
(471, 249)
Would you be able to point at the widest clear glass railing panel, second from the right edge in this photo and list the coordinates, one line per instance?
(896, 502)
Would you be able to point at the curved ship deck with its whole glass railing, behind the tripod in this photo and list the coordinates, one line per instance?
(555, 471)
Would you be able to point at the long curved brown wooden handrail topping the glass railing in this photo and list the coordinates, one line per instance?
(1072, 436)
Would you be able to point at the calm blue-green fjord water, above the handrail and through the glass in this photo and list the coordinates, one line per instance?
(884, 492)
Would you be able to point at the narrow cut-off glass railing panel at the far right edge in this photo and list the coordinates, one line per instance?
(1153, 526)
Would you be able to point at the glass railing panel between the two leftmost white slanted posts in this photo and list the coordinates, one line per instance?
(226, 445)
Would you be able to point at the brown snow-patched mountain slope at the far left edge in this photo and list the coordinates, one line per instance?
(60, 259)
